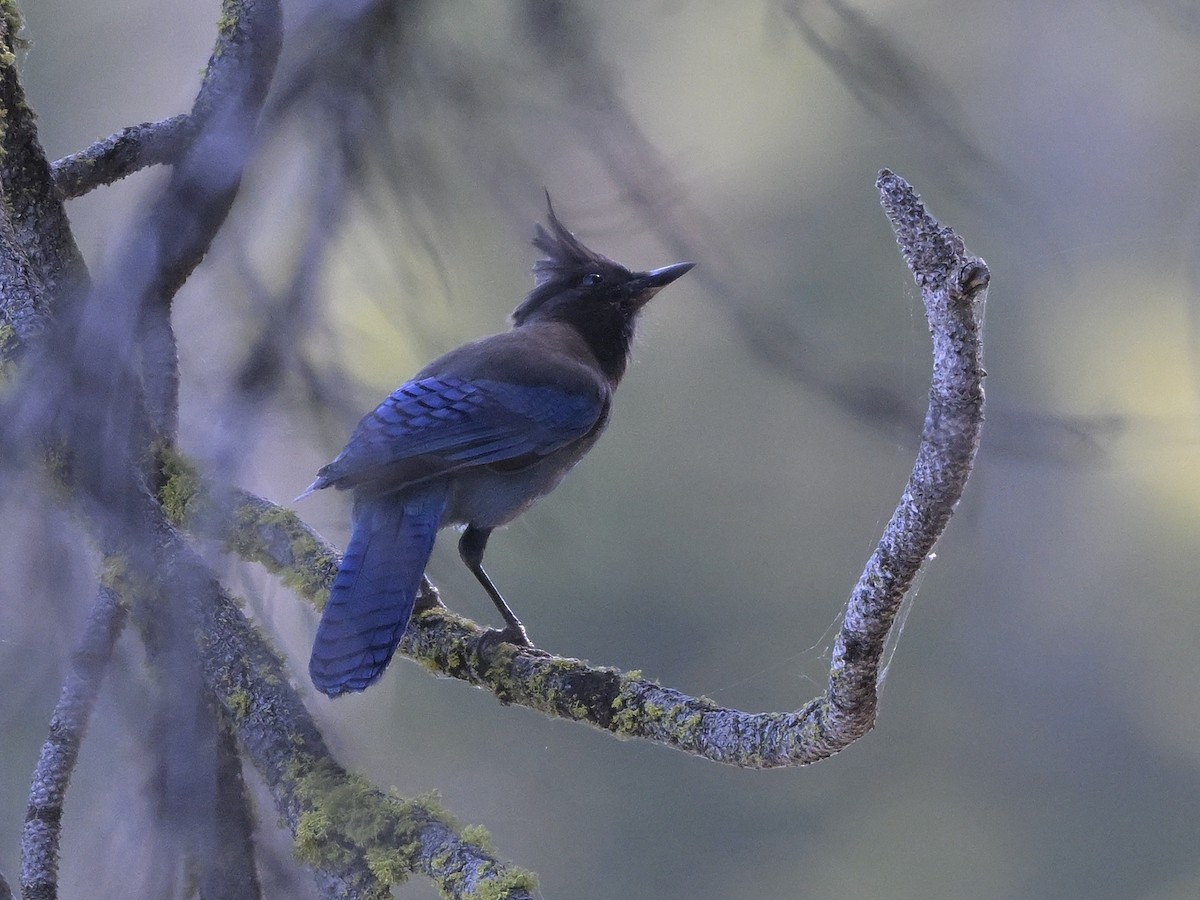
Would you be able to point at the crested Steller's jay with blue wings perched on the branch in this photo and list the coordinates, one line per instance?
(475, 440)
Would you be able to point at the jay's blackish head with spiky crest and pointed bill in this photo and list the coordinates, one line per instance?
(590, 292)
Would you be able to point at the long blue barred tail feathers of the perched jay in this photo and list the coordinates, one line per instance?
(376, 587)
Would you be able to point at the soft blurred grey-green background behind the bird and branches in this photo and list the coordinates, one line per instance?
(1039, 733)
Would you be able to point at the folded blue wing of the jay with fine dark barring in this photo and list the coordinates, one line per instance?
(440, 424)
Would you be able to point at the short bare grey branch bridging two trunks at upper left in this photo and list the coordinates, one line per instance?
(131, 149)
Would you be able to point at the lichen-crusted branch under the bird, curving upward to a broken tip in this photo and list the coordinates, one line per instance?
(952, 284)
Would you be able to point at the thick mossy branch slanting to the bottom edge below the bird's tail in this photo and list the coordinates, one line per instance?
(358, 839)
